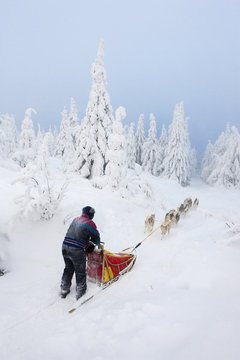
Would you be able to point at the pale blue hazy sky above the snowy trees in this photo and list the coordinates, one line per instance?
(157, 53)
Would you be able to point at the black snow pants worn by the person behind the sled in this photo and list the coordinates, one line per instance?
(75, 261)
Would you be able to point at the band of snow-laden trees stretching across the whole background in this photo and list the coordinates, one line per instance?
(102, 150)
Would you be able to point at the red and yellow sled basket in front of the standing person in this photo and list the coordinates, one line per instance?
(104, 266)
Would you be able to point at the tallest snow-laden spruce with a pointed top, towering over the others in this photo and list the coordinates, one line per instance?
(96, 126)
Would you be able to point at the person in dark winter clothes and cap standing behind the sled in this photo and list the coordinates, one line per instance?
(81, 236)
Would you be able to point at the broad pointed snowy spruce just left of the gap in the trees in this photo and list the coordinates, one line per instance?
(177, 164)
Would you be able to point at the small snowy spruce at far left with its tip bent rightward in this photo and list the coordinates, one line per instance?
(27, 140)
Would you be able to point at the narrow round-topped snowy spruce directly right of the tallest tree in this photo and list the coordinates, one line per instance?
(116, 169)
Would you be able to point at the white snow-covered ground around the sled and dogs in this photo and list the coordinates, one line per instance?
(180, 301)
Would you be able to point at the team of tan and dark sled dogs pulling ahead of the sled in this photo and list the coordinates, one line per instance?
(171, 218)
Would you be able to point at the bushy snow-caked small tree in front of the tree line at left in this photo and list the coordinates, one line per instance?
(41, 198)
